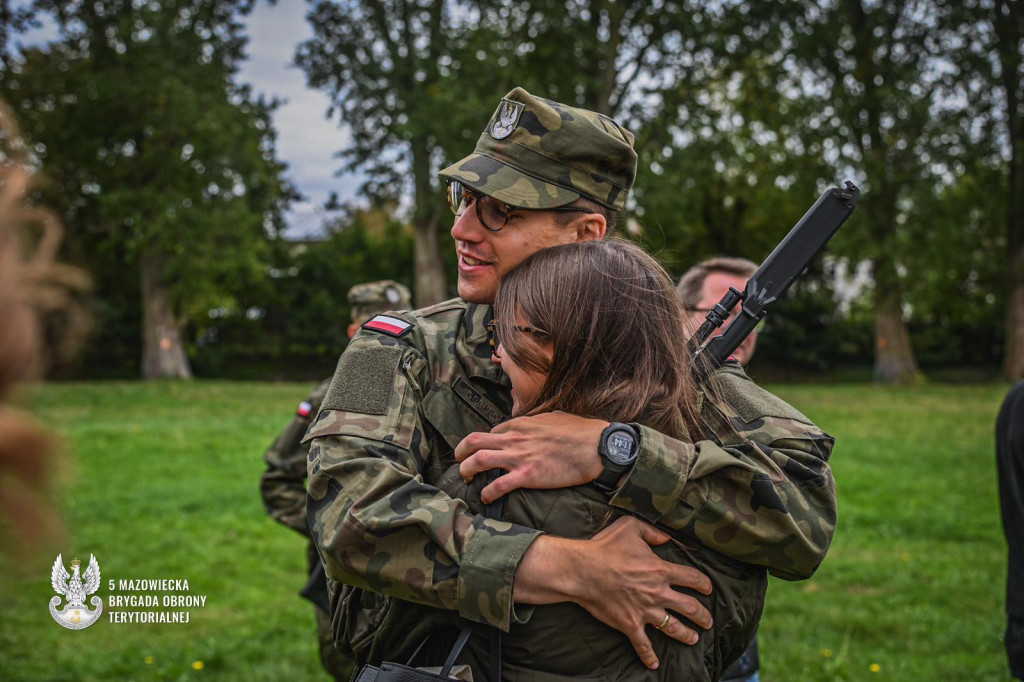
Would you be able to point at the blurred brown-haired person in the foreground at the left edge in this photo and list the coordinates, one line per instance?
(40, 323)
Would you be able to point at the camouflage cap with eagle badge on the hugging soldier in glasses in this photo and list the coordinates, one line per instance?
(538, 154)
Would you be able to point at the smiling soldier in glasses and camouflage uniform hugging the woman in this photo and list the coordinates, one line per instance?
(413, 396)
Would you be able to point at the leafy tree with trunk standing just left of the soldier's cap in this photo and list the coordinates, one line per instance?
(402, 78)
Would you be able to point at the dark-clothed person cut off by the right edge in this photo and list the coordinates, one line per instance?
(1010, 462)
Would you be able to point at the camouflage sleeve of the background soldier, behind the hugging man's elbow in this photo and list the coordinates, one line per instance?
(283, 485)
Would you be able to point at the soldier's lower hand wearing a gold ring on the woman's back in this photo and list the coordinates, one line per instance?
(621, 582)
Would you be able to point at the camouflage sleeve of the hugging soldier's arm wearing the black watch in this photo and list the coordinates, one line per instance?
(762, 493)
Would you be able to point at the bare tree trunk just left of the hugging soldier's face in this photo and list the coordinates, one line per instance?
(429, 271)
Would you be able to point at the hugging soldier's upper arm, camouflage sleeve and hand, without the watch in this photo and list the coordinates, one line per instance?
(760, 492)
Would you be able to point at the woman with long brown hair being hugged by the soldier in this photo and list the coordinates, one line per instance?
(595, 329)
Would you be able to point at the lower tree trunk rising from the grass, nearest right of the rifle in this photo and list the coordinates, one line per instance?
(893, 355)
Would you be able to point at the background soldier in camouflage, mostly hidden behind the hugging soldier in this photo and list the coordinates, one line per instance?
(283, 485)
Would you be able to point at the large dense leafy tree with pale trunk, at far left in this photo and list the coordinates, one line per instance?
(160, 163)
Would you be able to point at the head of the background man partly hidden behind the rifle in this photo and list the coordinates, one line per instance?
(705, 285)
